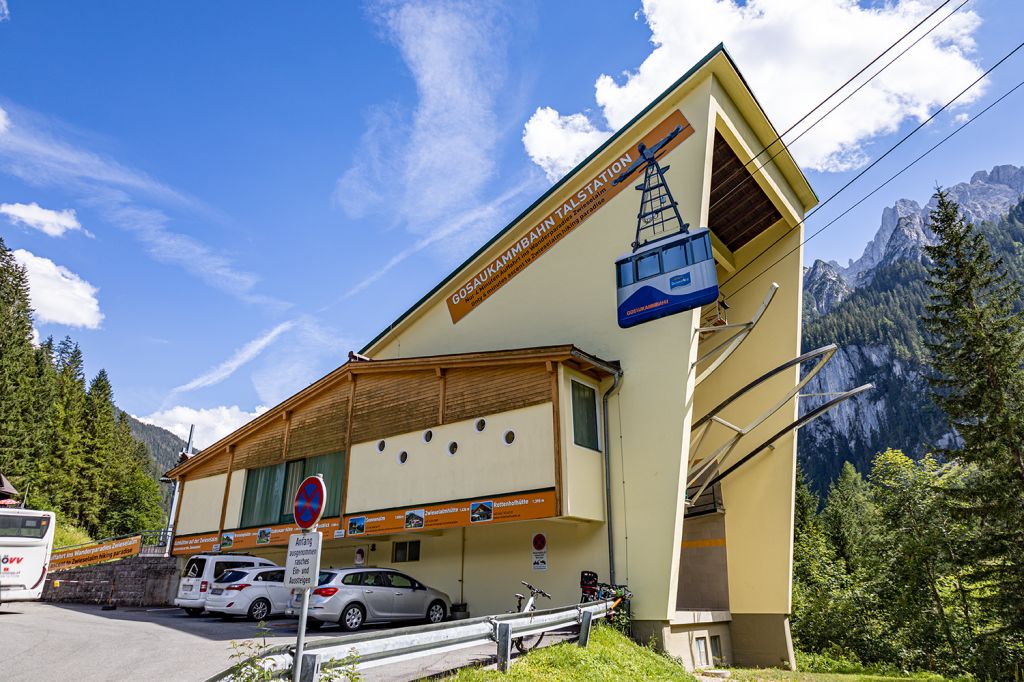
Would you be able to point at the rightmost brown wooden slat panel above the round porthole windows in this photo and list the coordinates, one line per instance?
(479, 392)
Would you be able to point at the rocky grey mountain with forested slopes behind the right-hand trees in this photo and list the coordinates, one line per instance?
(872, 309)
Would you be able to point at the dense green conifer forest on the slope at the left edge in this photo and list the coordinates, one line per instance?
(63, 442)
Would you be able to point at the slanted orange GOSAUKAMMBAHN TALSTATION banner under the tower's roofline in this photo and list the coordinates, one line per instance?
(586, 199)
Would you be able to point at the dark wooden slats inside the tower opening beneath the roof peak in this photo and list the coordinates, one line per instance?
(740, 209)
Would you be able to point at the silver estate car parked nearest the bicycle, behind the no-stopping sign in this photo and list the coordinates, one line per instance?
(353, 598)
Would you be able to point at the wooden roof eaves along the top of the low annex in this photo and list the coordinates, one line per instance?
(513, 357)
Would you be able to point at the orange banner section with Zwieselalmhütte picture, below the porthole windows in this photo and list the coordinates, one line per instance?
(519, 507)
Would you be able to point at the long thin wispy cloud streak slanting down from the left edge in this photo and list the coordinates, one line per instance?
(124, 197)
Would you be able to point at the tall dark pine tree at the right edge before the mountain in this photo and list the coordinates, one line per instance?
(976, 349)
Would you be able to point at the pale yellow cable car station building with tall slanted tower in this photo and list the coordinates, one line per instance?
(508, 403)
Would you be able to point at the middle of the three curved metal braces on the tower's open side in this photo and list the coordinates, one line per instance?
(825, 354)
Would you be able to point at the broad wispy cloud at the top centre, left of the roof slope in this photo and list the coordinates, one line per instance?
(415, 172)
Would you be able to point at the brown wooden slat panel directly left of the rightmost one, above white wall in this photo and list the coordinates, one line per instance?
(390, 404)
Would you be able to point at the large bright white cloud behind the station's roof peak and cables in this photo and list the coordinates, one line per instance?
(794, 53)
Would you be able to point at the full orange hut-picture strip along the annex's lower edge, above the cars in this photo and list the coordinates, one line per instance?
(482, 511)
